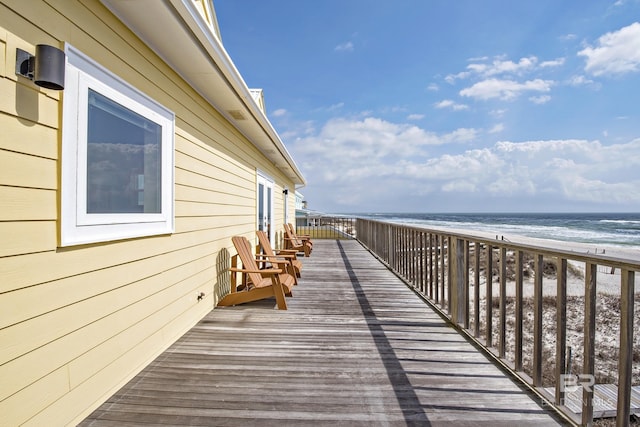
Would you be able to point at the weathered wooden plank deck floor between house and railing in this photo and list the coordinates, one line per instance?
(356, 347)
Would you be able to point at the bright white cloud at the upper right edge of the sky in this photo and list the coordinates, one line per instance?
(615, 53)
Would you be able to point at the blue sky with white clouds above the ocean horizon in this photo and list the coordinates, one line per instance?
(449, 106)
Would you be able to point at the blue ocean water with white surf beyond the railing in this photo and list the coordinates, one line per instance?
(598, 229)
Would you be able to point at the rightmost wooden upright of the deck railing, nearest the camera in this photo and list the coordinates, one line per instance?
(625, 362)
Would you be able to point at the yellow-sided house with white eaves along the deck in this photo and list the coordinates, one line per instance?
(119, 195)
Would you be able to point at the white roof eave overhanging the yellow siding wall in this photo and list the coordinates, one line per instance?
(176, 31)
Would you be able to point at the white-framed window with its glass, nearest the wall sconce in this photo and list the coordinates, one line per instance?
(117, 158)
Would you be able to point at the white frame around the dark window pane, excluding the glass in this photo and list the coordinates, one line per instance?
(78, 226)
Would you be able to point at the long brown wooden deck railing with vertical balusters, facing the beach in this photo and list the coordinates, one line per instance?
(449, 270)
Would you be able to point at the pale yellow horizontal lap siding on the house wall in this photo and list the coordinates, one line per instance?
(78, 322)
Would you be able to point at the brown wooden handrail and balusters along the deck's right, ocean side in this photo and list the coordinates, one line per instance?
(443, 266)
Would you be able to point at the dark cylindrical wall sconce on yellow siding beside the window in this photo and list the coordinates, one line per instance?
(45, 68)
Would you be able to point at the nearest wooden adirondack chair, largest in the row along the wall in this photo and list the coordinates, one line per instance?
(257, 284)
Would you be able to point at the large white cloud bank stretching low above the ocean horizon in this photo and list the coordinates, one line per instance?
(379, 163)
